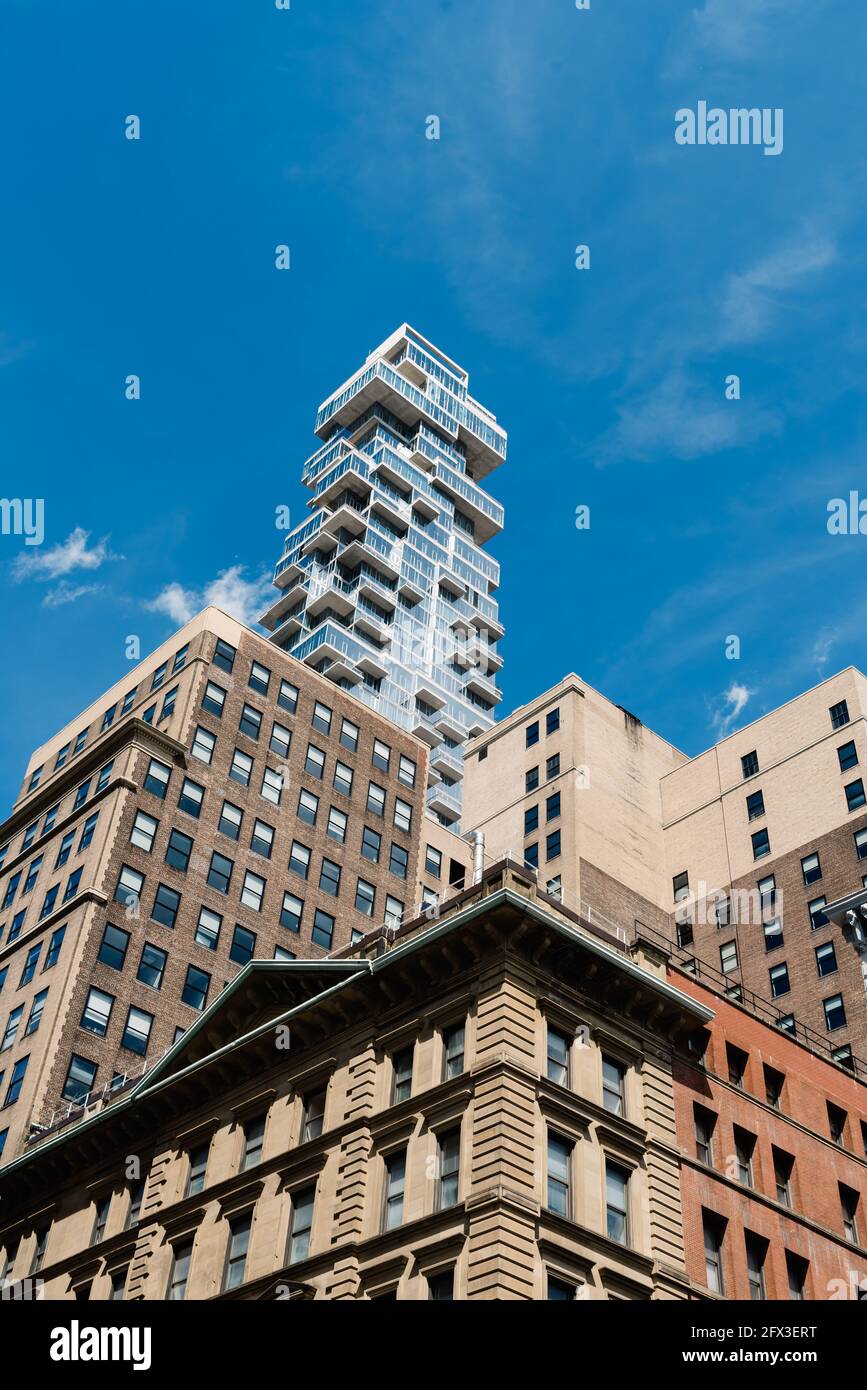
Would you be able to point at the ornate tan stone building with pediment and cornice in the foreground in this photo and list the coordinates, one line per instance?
(479, 1107)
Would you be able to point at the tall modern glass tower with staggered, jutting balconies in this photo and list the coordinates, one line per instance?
(386, 589)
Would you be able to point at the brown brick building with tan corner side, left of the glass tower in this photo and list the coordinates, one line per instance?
(222, 803)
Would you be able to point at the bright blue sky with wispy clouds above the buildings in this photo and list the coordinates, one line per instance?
(308, 127)
